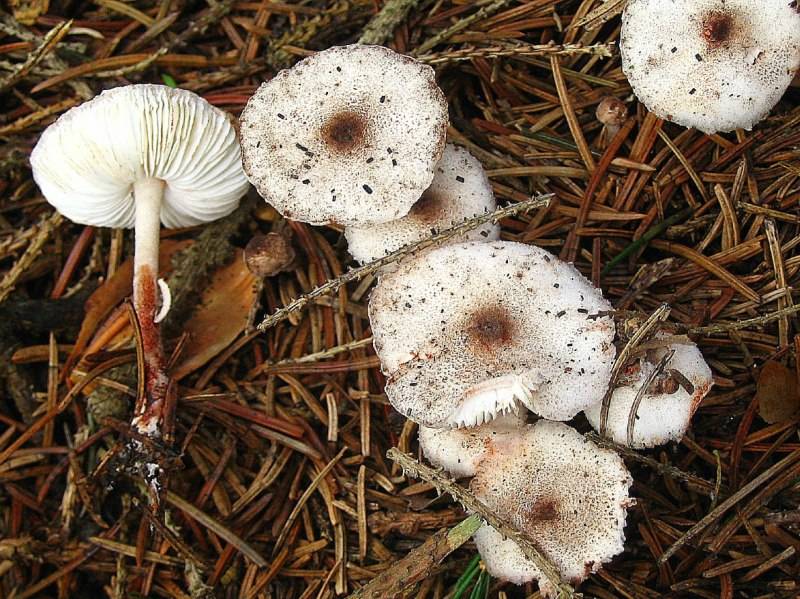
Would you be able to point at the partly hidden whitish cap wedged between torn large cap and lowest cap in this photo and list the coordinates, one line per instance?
(460, 450)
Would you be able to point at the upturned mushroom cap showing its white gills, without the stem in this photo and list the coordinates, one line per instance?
(87, 161)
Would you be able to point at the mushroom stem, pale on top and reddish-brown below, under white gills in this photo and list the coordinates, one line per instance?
(149, 194)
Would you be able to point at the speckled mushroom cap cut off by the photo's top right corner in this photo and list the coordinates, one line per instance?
(716, 65)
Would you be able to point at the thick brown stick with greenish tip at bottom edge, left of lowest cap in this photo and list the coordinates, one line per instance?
(417, 564)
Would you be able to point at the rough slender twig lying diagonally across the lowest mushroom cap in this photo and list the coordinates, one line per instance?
(417, 470)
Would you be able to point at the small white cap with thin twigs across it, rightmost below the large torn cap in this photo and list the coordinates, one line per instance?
(667, 407)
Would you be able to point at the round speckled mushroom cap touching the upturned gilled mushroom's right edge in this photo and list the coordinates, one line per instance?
(350, 135)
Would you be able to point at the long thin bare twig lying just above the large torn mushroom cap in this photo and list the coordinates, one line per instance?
(360, 272)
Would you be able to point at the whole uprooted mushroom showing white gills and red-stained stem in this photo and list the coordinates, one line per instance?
(135, 156)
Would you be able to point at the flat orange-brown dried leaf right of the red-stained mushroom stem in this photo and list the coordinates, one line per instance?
(222, 315)
